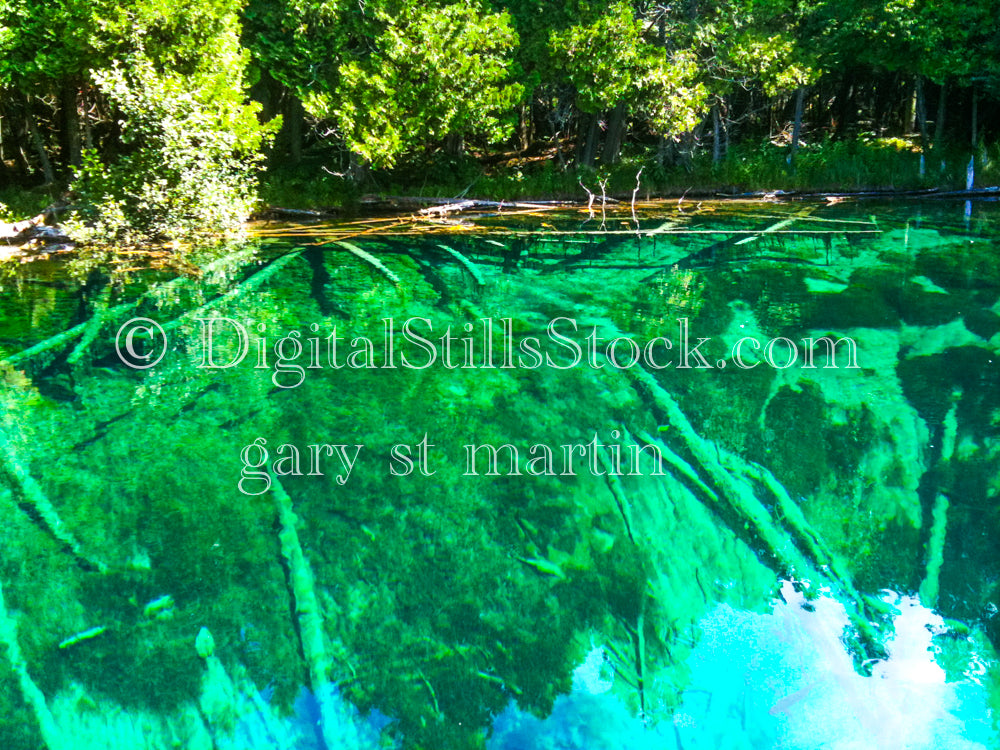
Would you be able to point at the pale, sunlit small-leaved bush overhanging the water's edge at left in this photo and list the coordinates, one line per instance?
(192, 146)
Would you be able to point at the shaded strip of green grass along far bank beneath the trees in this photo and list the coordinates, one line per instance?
(863, 164)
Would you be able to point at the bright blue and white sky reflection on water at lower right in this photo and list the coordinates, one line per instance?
(782, 679)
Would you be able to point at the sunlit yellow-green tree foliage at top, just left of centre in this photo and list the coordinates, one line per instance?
(433, 72)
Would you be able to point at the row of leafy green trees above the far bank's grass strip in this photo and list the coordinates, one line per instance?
(158, 90)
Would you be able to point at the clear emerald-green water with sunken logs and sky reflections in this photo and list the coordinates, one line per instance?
(749, 555)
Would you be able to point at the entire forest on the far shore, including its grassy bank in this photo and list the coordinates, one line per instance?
(176, 120)
